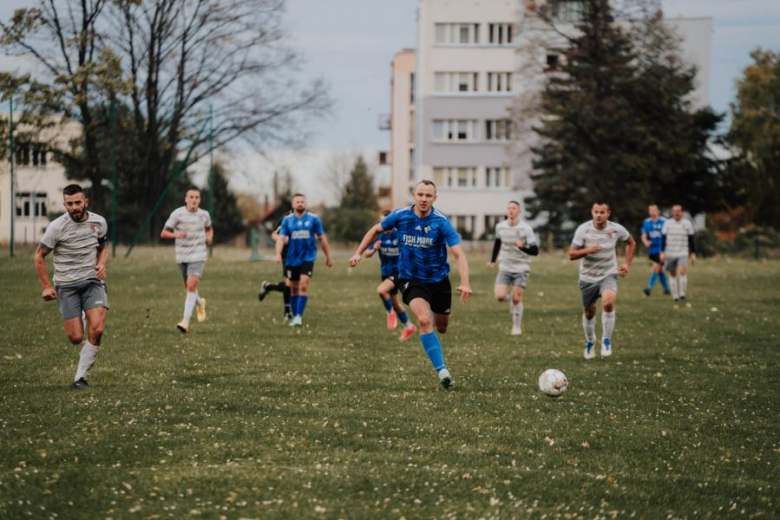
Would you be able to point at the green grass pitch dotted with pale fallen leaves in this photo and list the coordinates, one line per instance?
(243, 418)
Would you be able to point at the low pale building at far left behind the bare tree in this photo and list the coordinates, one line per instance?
(38, 185)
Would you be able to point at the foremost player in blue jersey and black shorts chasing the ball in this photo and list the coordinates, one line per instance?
(423, 272)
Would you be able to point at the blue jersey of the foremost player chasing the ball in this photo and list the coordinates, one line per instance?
(423, 244)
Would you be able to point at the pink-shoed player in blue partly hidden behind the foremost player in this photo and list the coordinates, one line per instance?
(387, 245)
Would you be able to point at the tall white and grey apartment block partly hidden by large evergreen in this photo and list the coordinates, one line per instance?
(451, 102)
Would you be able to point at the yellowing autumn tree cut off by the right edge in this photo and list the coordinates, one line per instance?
(755, 136)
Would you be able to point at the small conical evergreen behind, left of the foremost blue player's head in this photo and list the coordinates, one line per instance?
(357, 208)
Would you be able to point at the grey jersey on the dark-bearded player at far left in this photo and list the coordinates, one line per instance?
(75, 246)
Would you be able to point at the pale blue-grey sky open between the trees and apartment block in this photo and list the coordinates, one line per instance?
(350, 44)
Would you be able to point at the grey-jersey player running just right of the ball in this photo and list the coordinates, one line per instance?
(594, 245)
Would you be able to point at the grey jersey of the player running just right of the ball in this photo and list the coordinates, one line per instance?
(603, 262)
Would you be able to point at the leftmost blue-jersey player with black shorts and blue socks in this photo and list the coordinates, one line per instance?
(301, 231)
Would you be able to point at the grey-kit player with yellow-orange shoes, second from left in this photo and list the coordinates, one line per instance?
(191, 227)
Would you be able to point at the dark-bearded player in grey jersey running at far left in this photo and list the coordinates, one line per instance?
(78, 241)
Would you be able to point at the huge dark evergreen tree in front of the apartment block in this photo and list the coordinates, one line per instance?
(617, 124)
